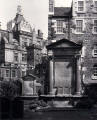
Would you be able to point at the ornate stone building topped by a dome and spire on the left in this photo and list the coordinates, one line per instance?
(20, 48)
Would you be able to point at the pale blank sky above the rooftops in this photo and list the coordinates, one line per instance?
(34, 11)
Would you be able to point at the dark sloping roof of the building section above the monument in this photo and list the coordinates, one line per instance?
(62, 11)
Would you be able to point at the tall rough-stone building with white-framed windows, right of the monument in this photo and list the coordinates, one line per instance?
(83, 30)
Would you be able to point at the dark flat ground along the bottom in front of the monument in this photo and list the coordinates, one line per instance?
(62, 115)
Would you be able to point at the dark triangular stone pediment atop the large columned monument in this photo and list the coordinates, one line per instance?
(64, 43)
